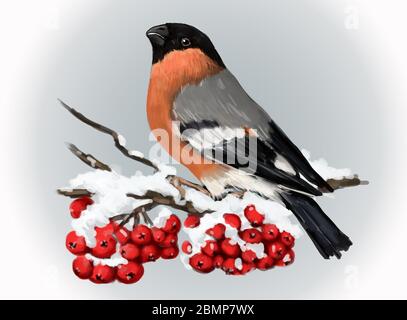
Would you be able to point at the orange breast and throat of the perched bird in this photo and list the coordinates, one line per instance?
(176, 70)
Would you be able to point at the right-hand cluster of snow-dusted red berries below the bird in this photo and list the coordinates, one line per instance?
(234, 256)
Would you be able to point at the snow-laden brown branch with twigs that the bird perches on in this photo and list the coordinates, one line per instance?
(128, 198)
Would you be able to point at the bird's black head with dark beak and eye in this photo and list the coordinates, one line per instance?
(178, 36)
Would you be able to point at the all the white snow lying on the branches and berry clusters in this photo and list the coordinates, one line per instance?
(110, 191)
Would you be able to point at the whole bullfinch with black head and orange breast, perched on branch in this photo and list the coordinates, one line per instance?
(195, 103)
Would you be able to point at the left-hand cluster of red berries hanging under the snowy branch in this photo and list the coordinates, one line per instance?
(136, 247)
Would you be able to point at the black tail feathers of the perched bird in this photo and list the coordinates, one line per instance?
(326, 236)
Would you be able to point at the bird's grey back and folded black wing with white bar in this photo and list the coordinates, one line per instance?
(214, 116)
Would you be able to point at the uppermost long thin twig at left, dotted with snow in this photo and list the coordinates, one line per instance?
(118, 139)
